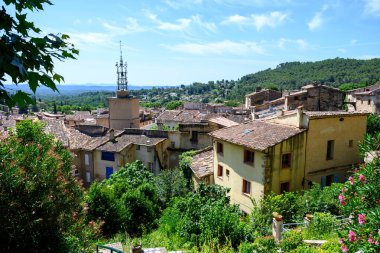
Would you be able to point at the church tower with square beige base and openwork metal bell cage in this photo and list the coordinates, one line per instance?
(123, 109)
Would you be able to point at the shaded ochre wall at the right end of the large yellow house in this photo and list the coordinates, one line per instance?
(322, 130)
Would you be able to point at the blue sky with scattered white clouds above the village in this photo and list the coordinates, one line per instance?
(167, 42)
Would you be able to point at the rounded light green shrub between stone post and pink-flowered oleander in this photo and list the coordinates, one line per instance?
(321, 227)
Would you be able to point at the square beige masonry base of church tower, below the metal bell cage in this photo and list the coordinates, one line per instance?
(124, 113)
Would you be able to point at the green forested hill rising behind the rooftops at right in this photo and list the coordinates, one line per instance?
(293, 75)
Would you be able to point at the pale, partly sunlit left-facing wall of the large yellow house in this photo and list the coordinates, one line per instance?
(233, 160)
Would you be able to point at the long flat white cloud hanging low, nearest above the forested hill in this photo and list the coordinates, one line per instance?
(221, 47)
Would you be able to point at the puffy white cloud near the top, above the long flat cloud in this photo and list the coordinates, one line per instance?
(271, 19)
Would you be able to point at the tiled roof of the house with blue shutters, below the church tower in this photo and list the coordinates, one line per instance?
(125, 140)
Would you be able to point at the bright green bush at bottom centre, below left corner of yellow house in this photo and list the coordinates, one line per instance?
(203, 216)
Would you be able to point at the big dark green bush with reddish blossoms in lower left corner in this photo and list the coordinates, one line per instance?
(40, 201)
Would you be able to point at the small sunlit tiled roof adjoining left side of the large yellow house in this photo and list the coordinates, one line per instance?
(202, 163)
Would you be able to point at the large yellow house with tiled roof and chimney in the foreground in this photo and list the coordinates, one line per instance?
(286, 153)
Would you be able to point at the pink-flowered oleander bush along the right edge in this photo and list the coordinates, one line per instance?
(360, 199)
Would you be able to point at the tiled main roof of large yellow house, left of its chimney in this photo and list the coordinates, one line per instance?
(257, 135)
